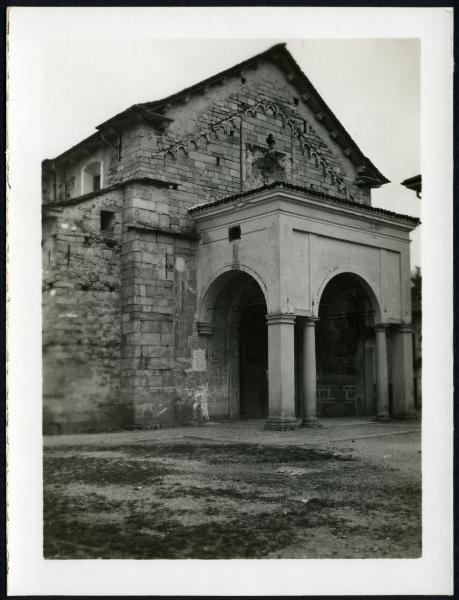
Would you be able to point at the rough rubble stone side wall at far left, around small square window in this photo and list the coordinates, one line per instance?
(81, 319)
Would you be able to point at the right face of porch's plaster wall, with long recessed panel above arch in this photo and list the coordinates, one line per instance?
(314, 250)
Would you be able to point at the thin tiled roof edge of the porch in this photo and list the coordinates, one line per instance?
(310, 192)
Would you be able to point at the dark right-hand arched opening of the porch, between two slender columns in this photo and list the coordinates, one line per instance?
(345, 347)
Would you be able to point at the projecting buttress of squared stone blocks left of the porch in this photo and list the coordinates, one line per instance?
(158, 311)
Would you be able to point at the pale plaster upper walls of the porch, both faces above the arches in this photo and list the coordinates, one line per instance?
(294, 250)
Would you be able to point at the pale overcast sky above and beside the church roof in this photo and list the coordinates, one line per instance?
(372, 86)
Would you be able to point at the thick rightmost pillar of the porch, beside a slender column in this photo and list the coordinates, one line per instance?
(402, 372)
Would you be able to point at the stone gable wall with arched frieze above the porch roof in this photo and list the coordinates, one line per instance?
(187, 152)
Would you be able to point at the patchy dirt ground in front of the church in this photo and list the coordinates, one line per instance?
(208, 499)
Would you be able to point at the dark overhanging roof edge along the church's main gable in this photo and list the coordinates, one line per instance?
(278, 54)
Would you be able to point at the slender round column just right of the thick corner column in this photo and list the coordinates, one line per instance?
(309, 376)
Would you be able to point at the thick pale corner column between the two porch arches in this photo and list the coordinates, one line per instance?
(281, 372)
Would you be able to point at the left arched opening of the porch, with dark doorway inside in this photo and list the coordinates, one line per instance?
(234, 309)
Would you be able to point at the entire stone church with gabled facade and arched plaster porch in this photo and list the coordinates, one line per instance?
(215, 255)
